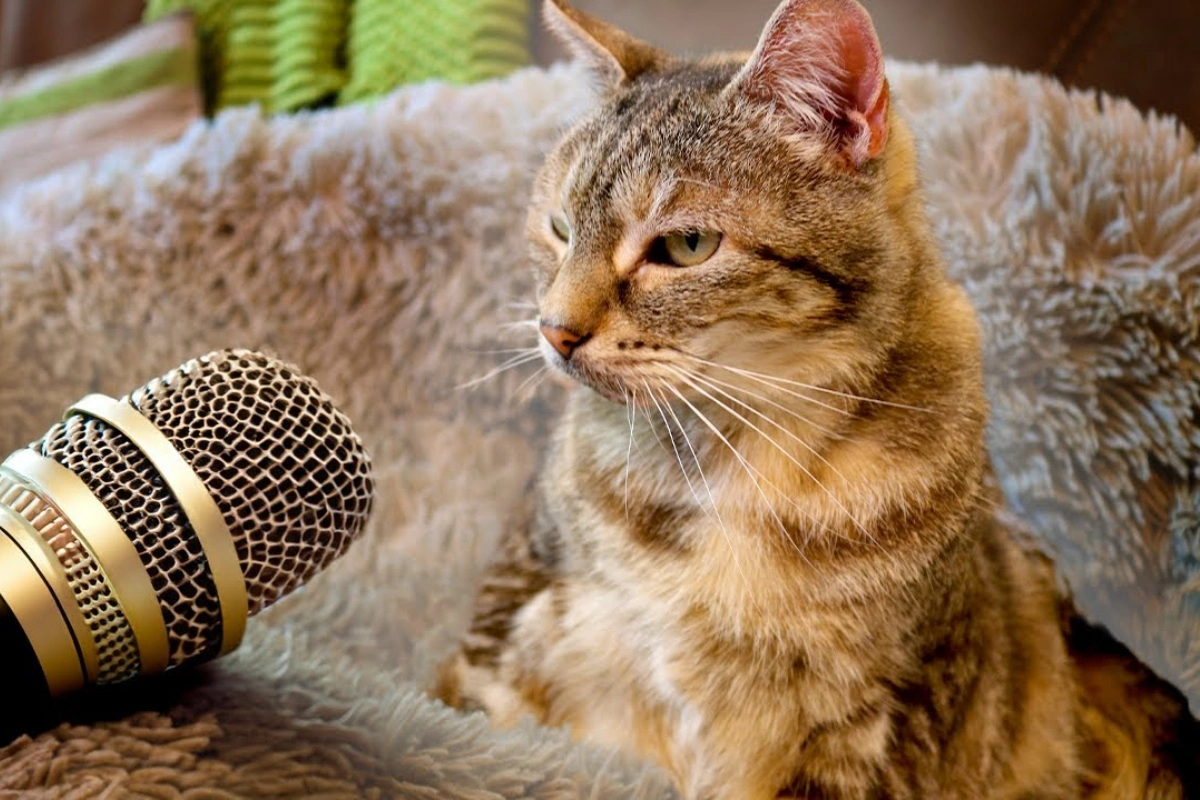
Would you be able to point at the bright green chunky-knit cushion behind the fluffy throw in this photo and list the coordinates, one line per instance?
(291, 55)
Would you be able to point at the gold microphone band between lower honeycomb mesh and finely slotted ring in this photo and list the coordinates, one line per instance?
(113, 552)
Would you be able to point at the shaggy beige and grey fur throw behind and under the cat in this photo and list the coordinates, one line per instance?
(380, 248)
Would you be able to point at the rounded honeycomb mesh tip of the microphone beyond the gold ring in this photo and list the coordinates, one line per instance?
(291, 477)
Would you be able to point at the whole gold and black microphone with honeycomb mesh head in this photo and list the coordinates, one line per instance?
(140, 534)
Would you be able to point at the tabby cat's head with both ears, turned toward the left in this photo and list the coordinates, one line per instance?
(755, 212)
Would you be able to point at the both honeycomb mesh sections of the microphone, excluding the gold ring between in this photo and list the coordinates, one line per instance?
(291, 478)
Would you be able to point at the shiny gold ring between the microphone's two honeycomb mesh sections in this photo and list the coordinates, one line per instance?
(194, 498)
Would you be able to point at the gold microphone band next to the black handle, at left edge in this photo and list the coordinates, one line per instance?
(38, 611)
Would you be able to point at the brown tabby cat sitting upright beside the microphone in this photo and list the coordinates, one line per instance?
(764, 554)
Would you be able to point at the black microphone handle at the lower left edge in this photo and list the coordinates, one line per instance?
(27, 703)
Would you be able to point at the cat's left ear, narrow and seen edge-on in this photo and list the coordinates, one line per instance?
(613, 55)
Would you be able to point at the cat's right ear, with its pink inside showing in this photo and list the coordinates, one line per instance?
(820, 63)
